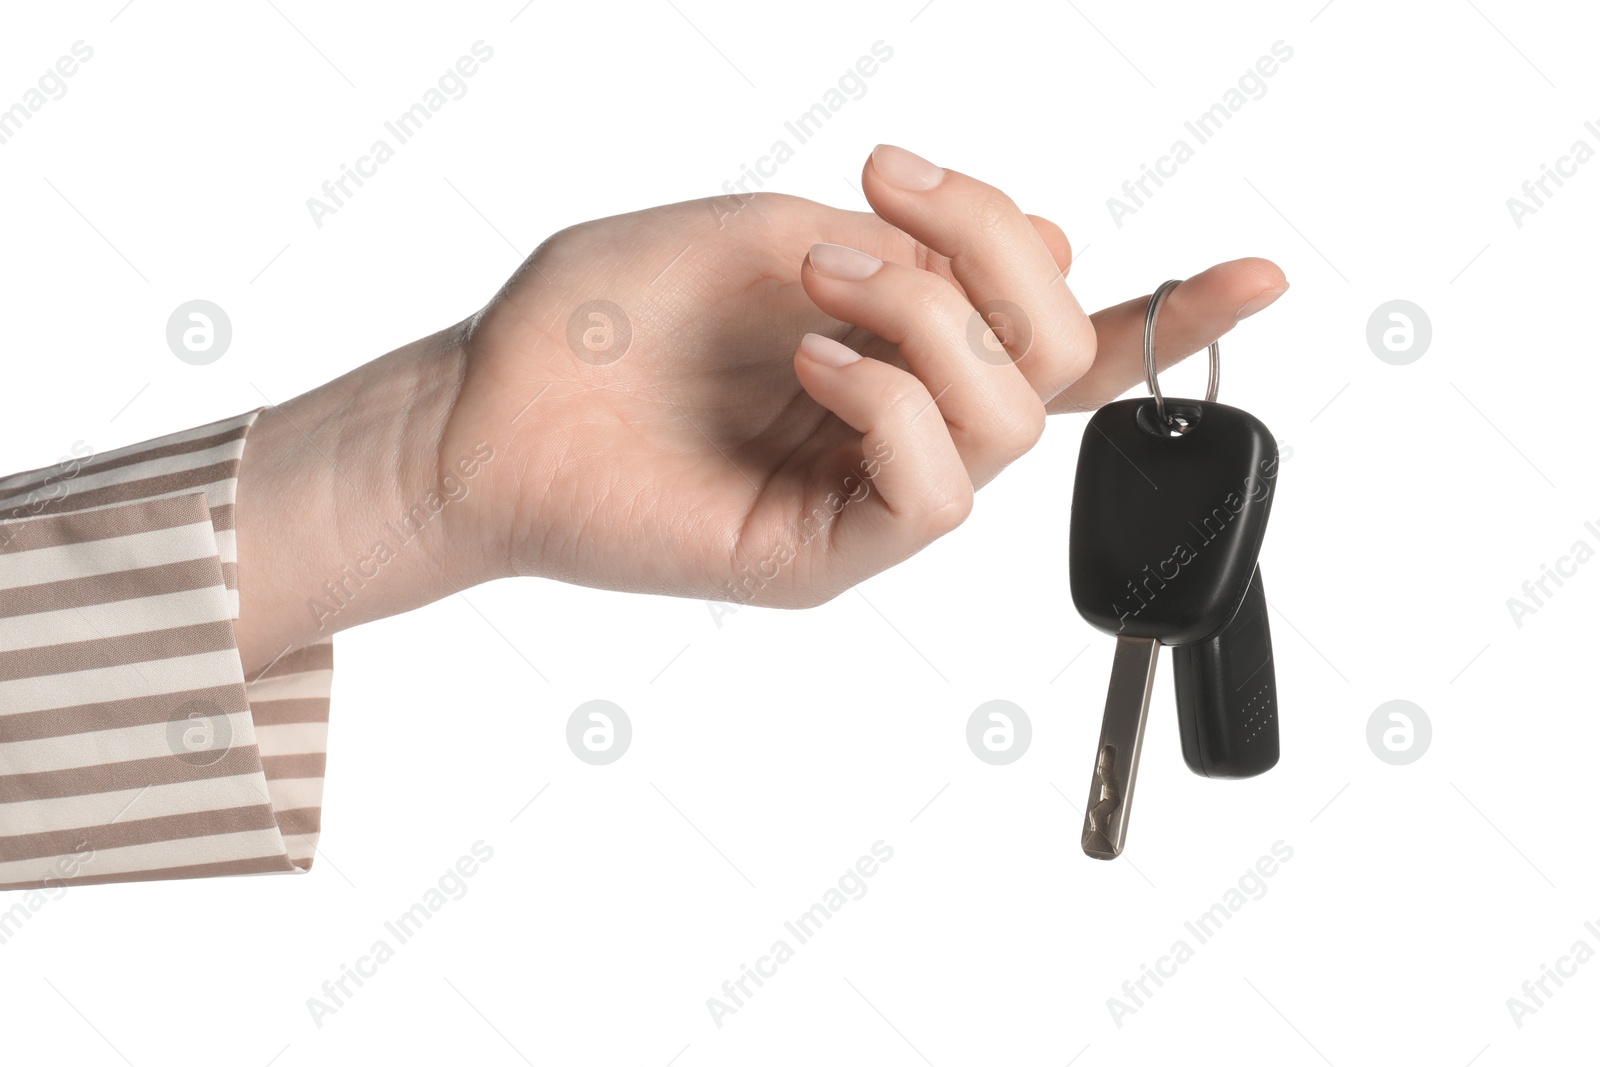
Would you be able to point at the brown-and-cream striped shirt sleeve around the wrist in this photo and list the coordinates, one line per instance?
(132, 746)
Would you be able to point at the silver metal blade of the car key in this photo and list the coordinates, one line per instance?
(1118, 757)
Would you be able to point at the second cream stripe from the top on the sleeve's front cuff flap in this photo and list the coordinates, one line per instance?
(78, 628)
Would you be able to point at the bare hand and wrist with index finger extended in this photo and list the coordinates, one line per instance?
(806, 398)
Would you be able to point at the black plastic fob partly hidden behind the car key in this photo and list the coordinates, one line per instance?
(1228, 695)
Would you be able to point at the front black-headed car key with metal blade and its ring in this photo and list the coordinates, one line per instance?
(1169, 511)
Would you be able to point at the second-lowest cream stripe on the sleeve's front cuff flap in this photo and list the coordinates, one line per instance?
(146, 802)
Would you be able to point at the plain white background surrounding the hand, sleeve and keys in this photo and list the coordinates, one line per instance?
(774, 751)
